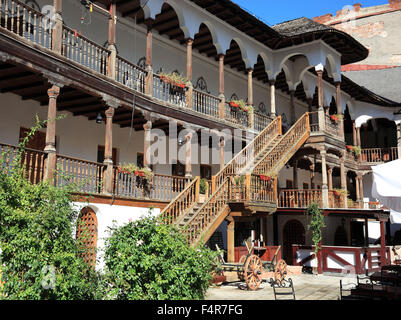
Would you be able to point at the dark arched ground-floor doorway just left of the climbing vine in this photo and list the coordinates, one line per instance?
(293, 233)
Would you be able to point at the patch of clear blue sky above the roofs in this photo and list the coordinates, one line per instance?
(276, 11)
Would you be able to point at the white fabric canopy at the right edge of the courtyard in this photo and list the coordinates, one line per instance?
(386, 187)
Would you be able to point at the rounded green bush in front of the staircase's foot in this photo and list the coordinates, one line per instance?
(148, 260)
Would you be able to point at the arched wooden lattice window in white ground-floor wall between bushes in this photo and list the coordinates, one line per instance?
(87, 234)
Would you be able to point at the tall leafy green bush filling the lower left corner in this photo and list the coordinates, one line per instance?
(39, 257)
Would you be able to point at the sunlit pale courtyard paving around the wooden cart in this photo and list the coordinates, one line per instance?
(307, 287)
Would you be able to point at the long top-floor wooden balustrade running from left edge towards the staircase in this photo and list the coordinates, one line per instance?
(31, 27)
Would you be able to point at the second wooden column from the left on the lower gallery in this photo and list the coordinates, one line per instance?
(108, 152)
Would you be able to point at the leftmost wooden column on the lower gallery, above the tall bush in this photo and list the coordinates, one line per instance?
(50, 147)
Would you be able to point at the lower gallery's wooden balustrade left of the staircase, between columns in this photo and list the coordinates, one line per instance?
(87, 176)
